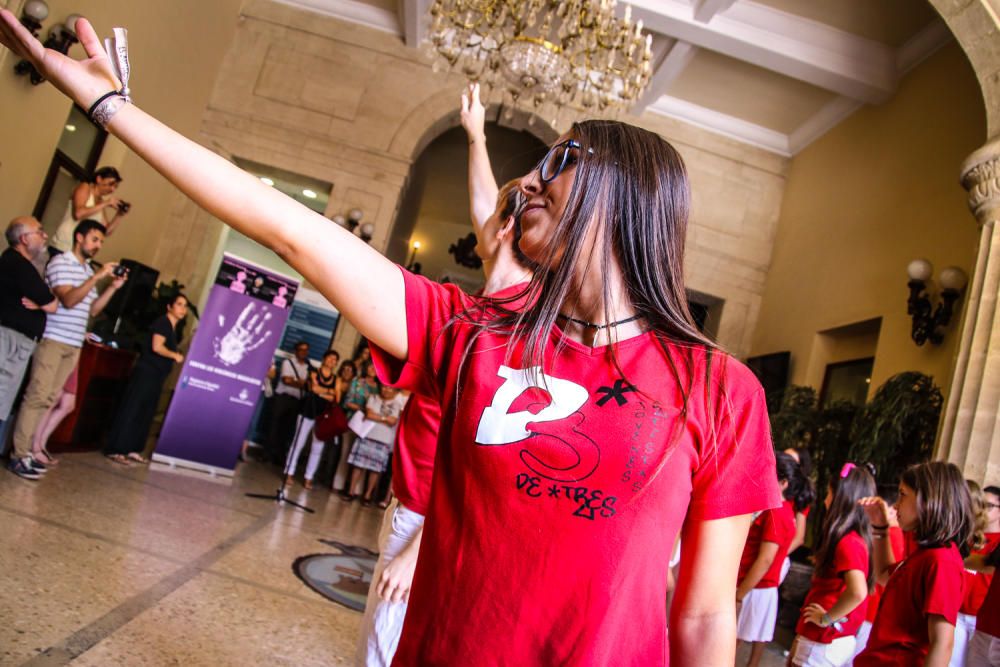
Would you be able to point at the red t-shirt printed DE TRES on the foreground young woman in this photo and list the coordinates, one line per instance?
(550, 530)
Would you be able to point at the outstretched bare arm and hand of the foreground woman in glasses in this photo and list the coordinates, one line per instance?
(326, 255)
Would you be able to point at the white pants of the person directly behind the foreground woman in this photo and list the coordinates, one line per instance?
(383, 621)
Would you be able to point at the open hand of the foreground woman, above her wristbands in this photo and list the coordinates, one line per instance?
(81, 80)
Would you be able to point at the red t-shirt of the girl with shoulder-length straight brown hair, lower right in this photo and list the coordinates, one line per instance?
(928, 582)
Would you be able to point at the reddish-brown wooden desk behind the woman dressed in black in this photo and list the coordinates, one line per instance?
(104, 373)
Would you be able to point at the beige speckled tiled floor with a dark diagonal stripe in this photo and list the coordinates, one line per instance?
(103, 565)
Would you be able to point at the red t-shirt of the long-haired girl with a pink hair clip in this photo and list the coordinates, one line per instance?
(851, 553)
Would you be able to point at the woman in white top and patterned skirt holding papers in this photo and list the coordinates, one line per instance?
(370, 454)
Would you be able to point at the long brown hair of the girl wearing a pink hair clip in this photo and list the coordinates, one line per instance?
(845, 516)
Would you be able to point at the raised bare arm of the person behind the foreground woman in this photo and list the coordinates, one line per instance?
(482, 186)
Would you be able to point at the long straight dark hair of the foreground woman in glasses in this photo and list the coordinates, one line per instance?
(632, 186)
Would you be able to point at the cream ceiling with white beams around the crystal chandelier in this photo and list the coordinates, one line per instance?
(776, 74)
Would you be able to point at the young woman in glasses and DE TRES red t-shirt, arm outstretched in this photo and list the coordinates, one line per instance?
(582, 429)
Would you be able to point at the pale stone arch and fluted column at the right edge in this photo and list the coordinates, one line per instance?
(970, 433)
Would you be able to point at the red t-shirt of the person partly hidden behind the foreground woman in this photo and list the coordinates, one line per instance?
(413, 460)
